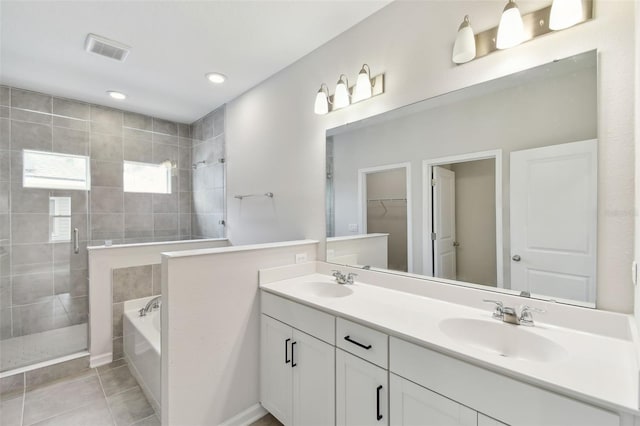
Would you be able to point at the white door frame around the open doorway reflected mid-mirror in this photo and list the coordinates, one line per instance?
(427, 202)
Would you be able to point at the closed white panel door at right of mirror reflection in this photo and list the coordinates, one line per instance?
(554, 220)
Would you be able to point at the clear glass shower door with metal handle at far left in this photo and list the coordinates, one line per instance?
(43, 259)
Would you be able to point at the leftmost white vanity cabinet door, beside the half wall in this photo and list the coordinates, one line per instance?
(275, 368)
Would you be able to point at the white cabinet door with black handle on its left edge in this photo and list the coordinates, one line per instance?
(313, 381)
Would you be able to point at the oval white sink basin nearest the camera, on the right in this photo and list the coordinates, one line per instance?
(507, 340)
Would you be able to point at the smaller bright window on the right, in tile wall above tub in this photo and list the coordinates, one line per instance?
(145, 177)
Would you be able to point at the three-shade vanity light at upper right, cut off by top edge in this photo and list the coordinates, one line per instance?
(515, 28)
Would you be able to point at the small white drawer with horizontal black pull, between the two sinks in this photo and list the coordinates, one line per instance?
(362, 341)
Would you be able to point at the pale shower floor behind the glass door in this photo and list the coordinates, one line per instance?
(19, 351)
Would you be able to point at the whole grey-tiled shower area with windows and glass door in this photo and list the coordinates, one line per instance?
(74, 174)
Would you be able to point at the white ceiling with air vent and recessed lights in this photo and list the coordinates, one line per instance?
(174, 43)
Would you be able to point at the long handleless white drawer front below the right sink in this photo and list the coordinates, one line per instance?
(500, 397)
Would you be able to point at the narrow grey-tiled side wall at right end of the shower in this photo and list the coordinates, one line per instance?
(208, 175)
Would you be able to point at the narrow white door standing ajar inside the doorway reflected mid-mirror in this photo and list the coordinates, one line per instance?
(444, 223)
